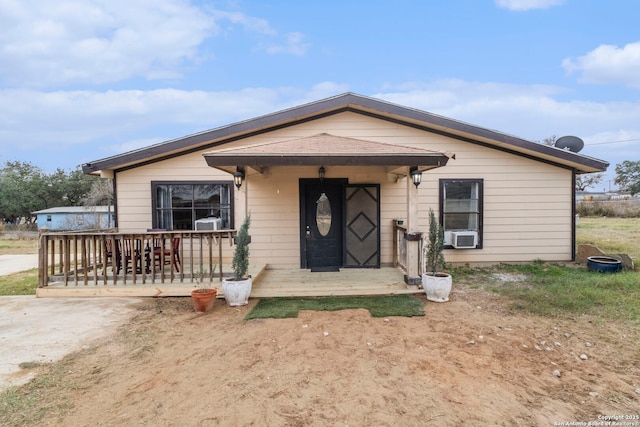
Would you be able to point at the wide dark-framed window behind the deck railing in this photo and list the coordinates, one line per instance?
(177, 205)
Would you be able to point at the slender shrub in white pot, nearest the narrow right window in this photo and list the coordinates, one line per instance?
(436, 284)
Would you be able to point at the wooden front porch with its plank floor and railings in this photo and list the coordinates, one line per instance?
(81, 265)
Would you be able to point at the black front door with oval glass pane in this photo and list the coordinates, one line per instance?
(321, 224)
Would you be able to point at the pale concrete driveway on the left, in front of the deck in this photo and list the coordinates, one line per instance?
(44, 330)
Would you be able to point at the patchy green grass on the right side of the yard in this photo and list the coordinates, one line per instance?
(547, 289)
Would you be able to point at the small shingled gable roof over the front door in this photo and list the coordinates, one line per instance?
(326, 150)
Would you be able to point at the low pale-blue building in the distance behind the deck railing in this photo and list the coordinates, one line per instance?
(67, 218)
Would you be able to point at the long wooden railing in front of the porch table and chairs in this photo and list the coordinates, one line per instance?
(113, 258)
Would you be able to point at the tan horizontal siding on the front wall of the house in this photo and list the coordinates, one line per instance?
(527, 203)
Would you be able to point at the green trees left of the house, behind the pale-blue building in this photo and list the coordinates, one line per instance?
(25, 188)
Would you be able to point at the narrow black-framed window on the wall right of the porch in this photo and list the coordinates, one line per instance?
(461, 201)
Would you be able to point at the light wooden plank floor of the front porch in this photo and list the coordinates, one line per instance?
(267, 283)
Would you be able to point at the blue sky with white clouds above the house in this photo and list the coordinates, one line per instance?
(81, 80)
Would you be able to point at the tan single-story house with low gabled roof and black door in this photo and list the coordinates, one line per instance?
(327, 182)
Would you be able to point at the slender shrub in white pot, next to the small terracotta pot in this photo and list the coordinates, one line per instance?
(237, 289)
